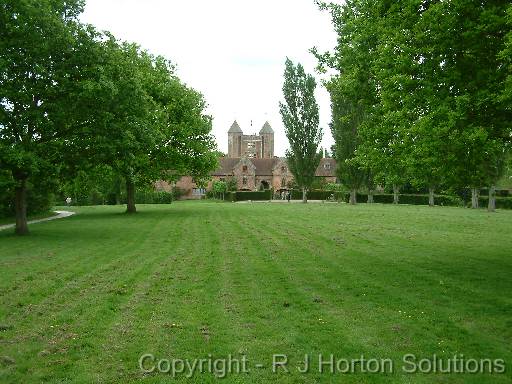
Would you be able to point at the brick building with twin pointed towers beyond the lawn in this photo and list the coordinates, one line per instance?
(251, 162)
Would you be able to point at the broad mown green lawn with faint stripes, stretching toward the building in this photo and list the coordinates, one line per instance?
(82, 298)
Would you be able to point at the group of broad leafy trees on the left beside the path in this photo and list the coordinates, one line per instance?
(74, 99)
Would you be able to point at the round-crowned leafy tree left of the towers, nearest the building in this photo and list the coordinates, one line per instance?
(152, 126)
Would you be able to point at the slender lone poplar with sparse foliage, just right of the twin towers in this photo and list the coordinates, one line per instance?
(300, 118)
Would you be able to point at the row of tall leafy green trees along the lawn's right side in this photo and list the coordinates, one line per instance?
(421, 92)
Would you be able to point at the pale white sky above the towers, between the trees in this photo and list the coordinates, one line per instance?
(232, 51)
